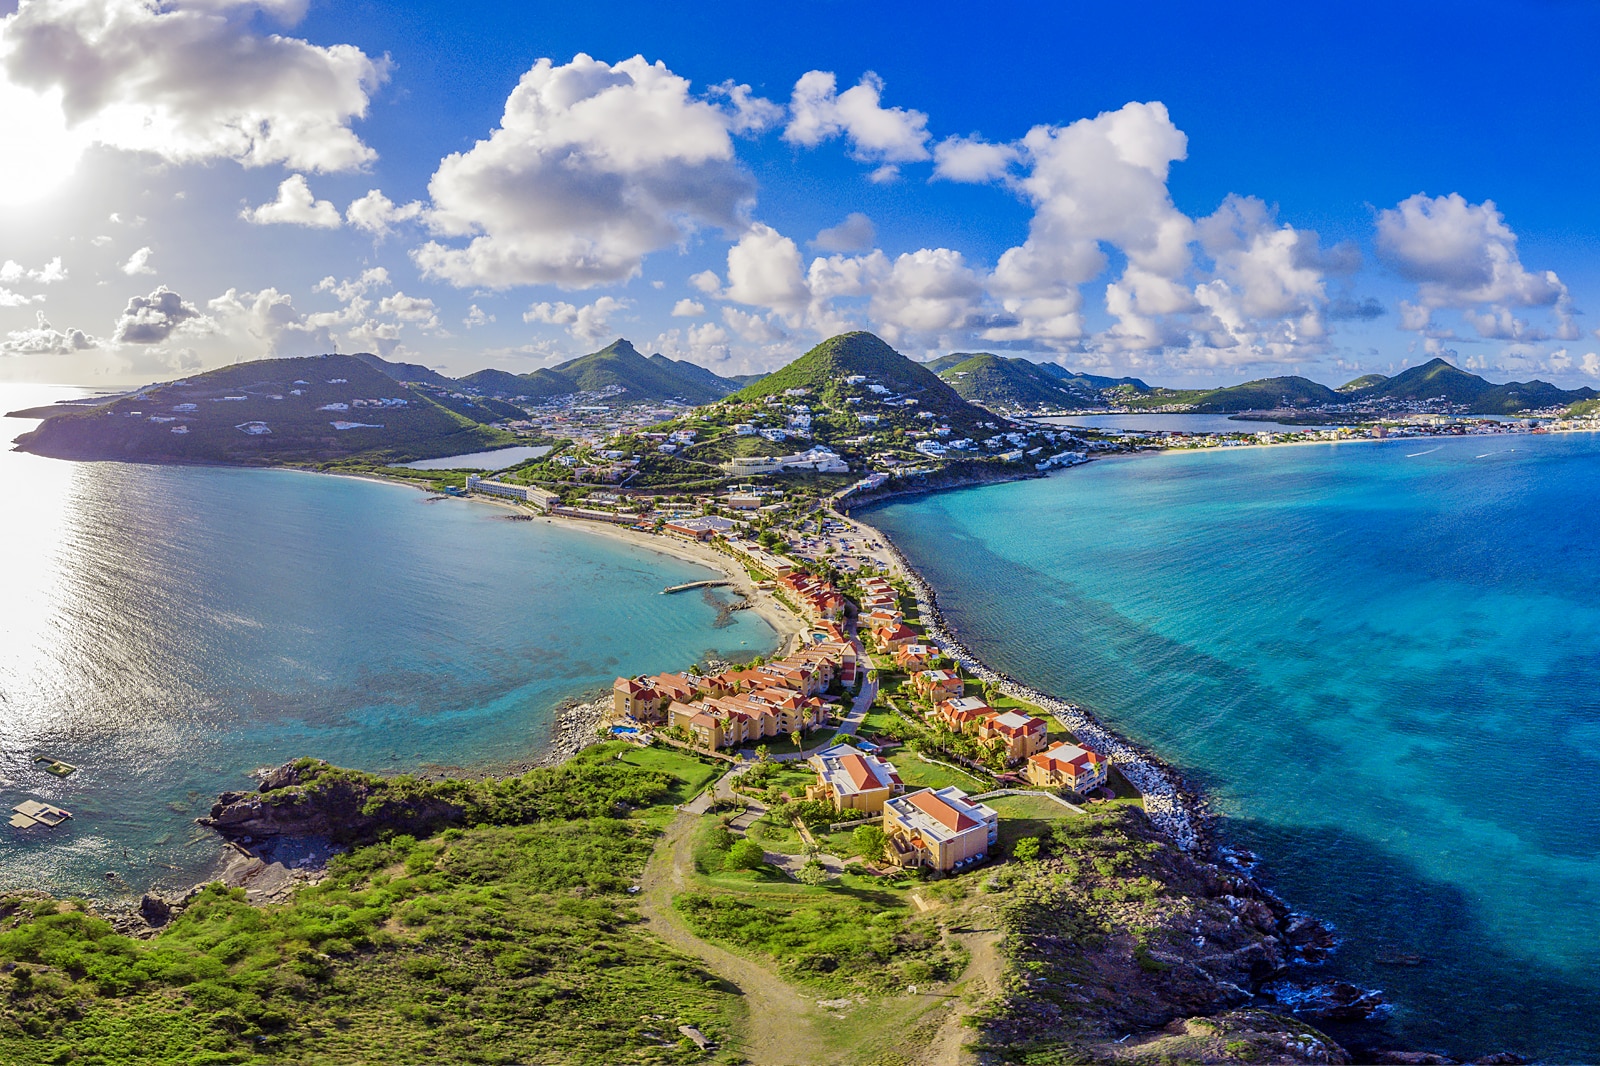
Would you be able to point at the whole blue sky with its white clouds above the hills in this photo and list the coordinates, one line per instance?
(1190, 194)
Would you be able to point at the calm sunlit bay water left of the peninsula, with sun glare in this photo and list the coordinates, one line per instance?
(169, 630)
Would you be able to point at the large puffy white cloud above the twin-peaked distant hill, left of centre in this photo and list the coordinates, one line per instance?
(593, 169)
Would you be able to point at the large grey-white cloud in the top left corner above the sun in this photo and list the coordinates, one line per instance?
(186, 81)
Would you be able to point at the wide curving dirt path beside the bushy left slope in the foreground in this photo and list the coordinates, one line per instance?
(778, 1028)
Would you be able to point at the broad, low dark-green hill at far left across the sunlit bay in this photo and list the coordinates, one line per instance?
(218, 417)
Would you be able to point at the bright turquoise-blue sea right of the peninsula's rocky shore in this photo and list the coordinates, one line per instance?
(1380, 660)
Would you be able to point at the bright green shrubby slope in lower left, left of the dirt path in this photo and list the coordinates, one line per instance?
(506, 939)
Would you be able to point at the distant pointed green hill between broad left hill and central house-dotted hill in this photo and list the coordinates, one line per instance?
(620, 369)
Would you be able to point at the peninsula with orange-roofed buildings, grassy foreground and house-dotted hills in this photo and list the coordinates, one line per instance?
(870, 849)
